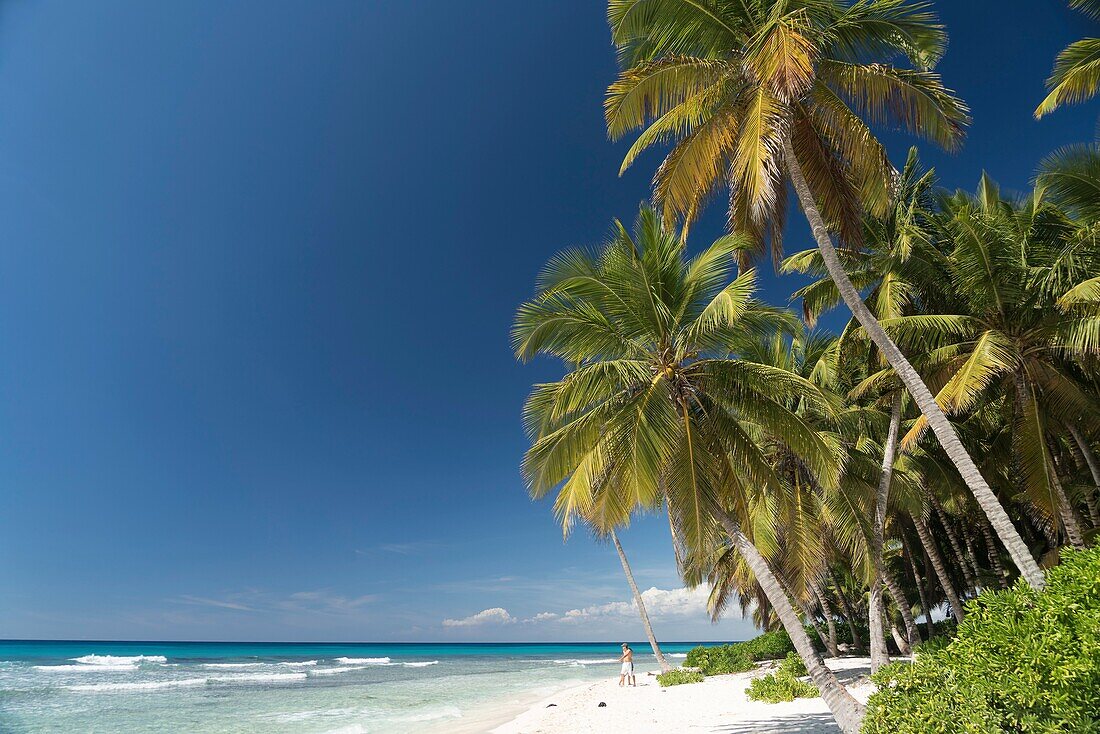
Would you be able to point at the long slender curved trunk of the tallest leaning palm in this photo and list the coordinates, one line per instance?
(945, 434)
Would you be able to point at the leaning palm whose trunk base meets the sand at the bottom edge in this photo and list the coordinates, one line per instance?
(656, 406)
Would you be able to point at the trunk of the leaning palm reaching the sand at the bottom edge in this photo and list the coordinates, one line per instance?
(848, 711)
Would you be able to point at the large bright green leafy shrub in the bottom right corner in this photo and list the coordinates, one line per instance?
(1024, 662)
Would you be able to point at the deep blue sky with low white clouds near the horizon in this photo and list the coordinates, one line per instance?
(259, 265)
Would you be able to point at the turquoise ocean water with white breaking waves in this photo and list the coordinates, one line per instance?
(279, 687)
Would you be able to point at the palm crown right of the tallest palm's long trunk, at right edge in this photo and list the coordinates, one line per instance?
(998, 332)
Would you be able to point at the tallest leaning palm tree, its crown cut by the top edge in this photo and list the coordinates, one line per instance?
(761, 93)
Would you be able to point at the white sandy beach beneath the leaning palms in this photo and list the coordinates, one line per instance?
(718, 705)
